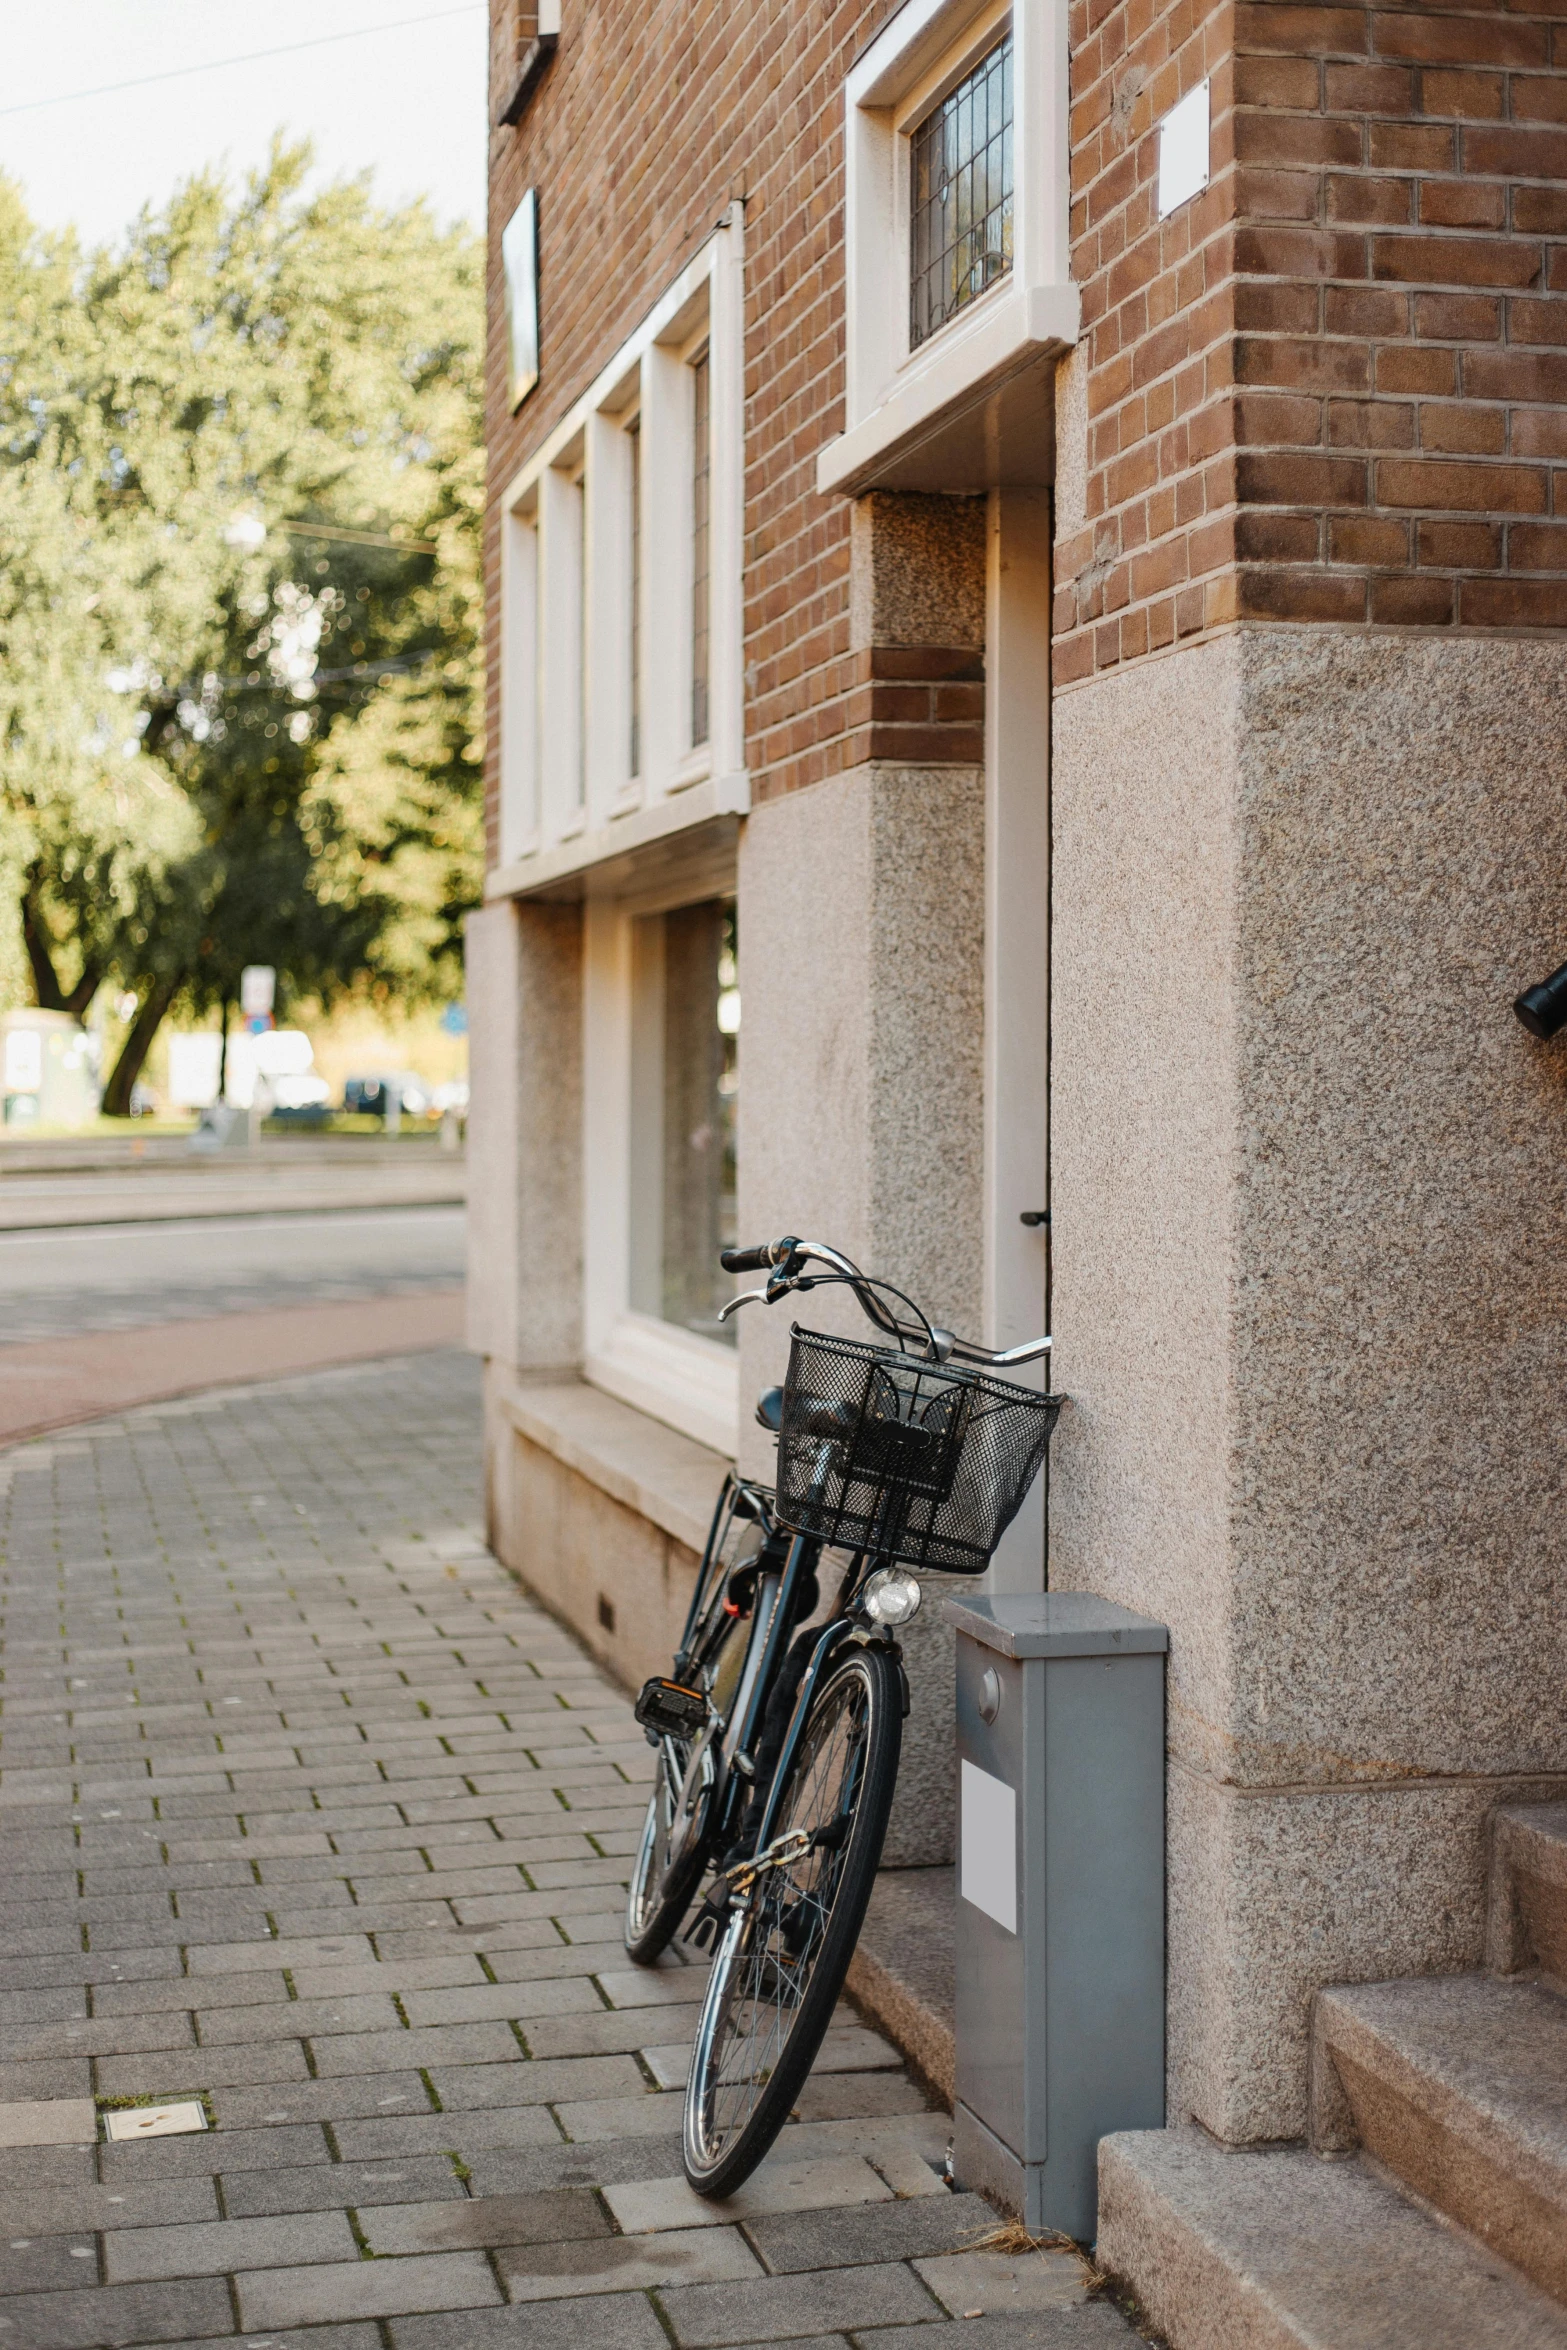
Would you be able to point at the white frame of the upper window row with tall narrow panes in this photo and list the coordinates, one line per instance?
(556, 598)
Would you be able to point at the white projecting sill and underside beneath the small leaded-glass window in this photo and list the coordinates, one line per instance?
(929, 429)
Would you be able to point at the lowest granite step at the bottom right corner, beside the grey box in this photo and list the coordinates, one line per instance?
(1279, 2250)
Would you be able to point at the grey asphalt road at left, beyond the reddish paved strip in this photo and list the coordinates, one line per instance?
(119, 1277)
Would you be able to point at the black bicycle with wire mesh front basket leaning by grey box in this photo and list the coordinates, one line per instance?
(779, 1745)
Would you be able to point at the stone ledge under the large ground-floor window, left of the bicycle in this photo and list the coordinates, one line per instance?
(626, 1453)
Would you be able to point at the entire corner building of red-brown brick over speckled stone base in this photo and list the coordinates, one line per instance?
(1033, 565)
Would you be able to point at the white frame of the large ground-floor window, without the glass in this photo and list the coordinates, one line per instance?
(690, 1383)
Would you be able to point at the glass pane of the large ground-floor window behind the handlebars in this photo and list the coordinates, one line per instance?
(685, 1099)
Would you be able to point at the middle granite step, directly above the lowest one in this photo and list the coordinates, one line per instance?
(1460, 2086)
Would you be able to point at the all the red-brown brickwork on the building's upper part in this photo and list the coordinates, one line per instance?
(1331, 389)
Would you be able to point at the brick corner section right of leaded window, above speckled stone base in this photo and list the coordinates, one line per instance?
(1331, 387)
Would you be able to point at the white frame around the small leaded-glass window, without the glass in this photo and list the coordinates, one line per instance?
(896, 396)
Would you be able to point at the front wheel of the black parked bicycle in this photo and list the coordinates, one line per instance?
(783, 1956)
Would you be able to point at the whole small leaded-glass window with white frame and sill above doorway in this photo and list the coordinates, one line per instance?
(957, 241)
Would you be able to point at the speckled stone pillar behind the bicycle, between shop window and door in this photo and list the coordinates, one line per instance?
(861, 967)
